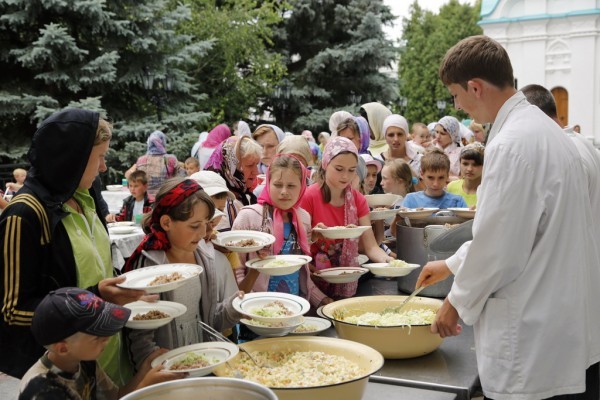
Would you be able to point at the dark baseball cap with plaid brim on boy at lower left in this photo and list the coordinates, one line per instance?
(66, 311)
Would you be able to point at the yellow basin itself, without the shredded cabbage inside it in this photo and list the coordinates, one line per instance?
(393, 341)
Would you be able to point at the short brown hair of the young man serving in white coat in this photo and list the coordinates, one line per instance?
(477, 57)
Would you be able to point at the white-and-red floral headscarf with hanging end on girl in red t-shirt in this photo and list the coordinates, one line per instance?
(334, 147)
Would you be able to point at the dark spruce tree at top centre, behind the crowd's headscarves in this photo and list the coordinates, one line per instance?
(332, 49)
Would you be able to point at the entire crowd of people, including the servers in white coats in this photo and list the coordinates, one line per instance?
(507, 283)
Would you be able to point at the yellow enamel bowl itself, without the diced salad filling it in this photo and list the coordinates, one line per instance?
(368, 359)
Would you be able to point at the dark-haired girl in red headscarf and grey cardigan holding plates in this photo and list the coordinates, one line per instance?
(177, 225)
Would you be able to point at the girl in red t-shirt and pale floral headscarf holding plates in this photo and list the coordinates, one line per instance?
(333, 202)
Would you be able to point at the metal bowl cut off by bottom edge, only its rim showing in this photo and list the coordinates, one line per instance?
(205, 388)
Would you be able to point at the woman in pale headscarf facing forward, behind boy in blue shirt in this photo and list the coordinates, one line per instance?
(395, 129)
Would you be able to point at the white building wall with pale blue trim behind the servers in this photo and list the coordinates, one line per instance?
(553, 43)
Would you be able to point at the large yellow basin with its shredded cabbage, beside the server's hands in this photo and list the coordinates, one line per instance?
(371, 320)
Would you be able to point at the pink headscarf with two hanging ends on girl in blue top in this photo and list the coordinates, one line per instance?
(265, 197)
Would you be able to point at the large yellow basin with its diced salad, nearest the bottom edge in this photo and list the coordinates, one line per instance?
(307, 367)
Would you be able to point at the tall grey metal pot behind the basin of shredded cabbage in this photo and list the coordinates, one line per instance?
(412, 246)
